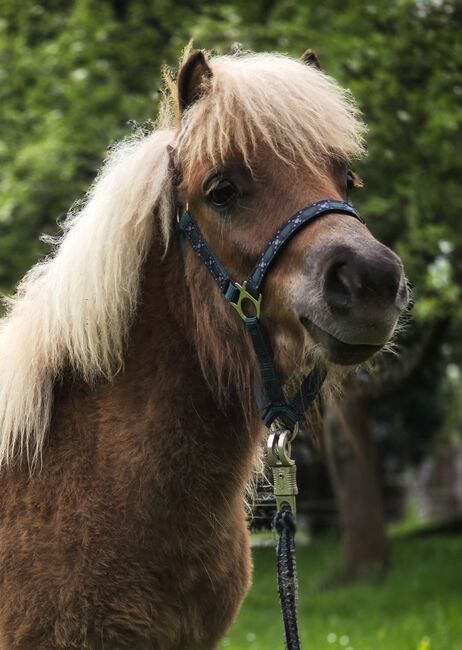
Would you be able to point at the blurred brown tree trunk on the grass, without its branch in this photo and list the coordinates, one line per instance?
(353, 467)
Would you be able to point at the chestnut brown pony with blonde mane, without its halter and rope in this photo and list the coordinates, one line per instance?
(128, 425)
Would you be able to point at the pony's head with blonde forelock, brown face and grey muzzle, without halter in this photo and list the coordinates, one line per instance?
(259, 138)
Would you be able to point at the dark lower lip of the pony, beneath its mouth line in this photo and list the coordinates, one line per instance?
(337, 351)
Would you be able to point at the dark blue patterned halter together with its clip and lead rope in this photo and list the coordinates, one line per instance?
(279, 415)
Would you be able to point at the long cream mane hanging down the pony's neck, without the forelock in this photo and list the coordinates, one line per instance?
(76, 307)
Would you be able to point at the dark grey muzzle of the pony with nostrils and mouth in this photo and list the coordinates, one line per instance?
(361, 291)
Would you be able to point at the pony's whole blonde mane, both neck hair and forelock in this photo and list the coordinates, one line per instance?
(75, 308)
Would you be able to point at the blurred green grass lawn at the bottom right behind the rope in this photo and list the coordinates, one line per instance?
(417, 607)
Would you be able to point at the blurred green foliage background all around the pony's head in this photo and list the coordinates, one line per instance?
(75, 74)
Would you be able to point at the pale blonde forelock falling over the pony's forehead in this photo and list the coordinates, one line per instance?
(295, 111)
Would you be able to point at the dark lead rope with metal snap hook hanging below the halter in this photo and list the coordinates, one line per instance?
(285, 490)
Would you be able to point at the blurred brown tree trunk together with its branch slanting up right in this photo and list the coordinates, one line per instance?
(351, 455)
